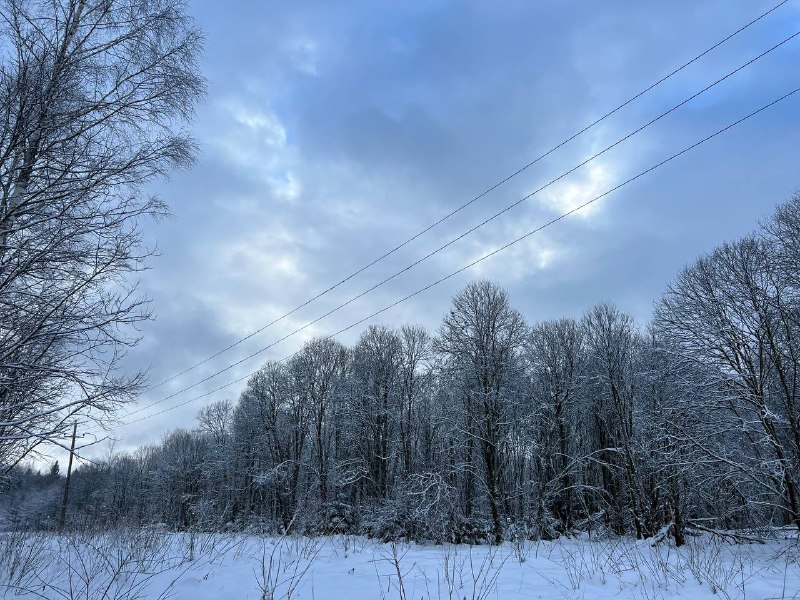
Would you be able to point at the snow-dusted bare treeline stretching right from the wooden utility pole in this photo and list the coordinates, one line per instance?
(492, 427)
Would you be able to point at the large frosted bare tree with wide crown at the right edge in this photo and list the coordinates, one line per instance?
(733, 313)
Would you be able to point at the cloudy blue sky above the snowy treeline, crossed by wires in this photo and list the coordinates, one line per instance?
(333, 131)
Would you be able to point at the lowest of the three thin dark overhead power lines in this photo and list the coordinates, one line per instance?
(501, 248)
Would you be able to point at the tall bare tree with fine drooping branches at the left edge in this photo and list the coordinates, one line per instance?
(92, 97)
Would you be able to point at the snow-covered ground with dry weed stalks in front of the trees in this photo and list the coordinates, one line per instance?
(153, 564)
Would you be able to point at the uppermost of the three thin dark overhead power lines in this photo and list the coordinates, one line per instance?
(473, 200)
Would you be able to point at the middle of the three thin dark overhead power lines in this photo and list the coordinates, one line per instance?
(472, 229)
